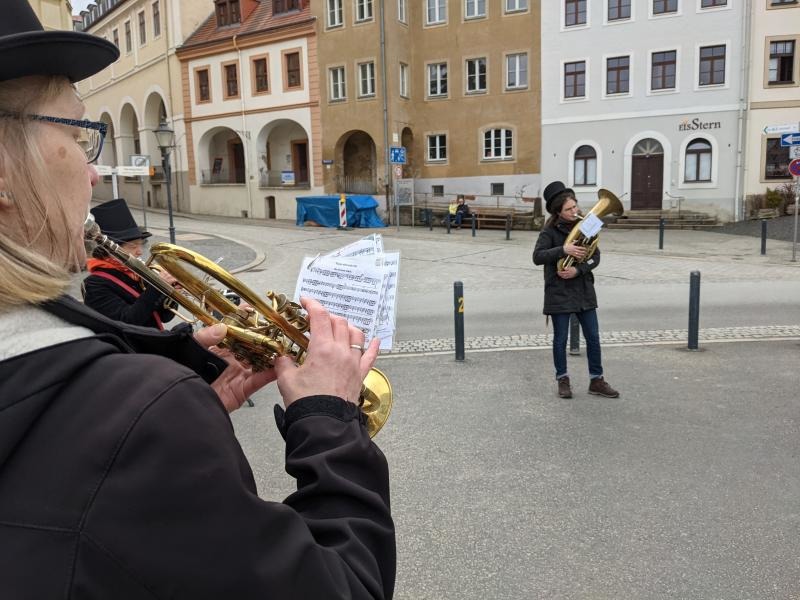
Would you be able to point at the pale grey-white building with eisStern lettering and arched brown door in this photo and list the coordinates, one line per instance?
(644, 98)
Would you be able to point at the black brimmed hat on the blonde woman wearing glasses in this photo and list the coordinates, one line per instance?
(27, 49)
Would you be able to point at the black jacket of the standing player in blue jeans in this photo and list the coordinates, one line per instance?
(564, 295)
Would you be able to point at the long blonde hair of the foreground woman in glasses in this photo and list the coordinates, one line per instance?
(36, 249)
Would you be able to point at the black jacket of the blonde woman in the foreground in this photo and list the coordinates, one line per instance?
(121, 477)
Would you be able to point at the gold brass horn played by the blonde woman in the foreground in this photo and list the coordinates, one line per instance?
(271, 327)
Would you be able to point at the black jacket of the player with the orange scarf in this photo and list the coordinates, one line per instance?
(110, 299)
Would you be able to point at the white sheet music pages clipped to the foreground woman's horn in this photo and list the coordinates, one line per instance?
(357, 282)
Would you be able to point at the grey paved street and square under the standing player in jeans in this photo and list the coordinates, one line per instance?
(685, 487)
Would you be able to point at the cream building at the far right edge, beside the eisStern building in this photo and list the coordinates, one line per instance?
(774, 92)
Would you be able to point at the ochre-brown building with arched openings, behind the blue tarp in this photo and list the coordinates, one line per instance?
(453, 82)
